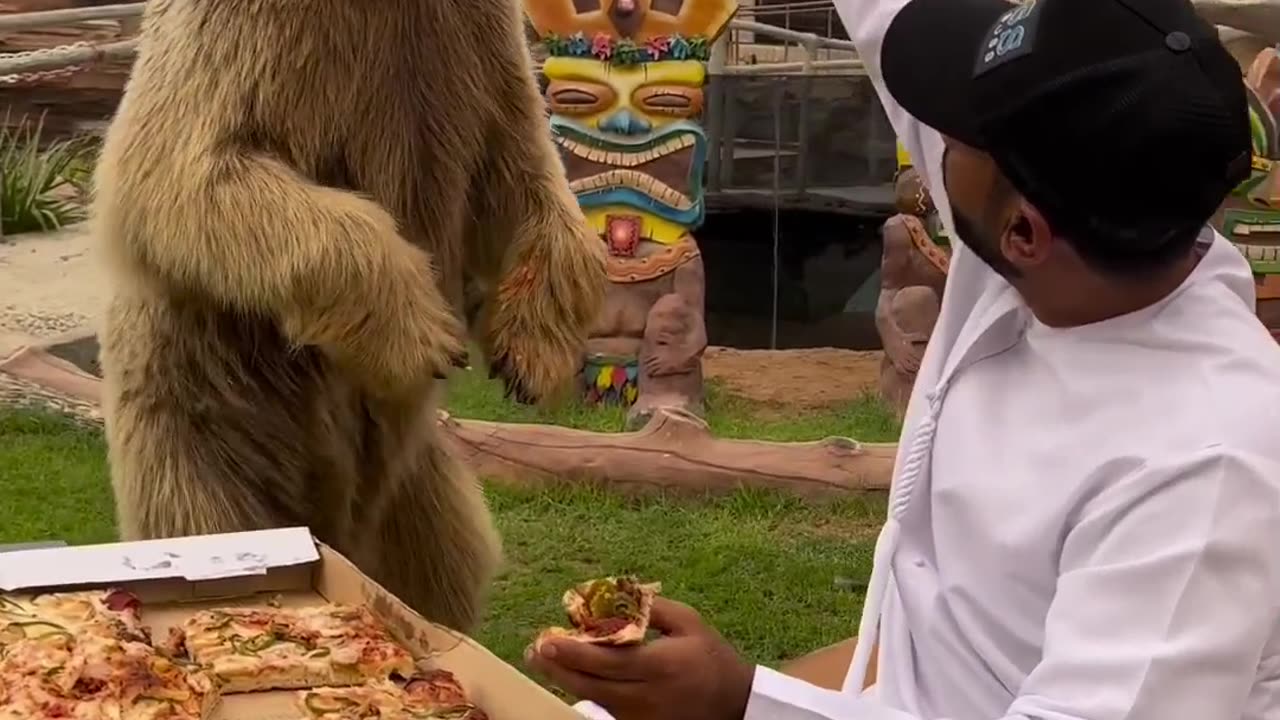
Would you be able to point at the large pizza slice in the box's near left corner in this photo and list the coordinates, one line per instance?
(94, 677)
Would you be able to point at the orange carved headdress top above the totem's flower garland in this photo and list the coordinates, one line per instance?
(637, 20)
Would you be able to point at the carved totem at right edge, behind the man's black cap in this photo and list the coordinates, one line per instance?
(1251, 217)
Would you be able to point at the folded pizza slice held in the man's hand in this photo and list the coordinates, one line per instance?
(607, 612)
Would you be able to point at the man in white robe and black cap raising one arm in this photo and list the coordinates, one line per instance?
(1085, 522)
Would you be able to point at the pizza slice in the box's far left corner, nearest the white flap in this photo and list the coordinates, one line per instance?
(107, 613)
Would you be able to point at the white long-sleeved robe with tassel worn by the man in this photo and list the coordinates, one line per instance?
(1085, 523)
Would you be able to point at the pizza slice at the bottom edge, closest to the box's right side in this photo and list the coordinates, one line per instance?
(436, 695)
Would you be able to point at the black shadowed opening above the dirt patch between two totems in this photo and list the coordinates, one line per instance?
(828, 280)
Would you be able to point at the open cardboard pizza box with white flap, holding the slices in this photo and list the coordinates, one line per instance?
(289, 567)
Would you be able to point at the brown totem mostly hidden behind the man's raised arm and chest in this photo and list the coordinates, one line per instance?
(913, 274)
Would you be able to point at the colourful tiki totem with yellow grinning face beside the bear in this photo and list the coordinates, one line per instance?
(625, 89)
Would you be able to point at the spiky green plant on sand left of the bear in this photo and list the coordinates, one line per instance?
(42, 185)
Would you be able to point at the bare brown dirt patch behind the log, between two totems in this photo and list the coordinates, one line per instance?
(798, 380)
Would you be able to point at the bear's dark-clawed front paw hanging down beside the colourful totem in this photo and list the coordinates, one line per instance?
(540, 330)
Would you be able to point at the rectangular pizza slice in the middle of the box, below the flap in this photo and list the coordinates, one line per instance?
(286, 649)
